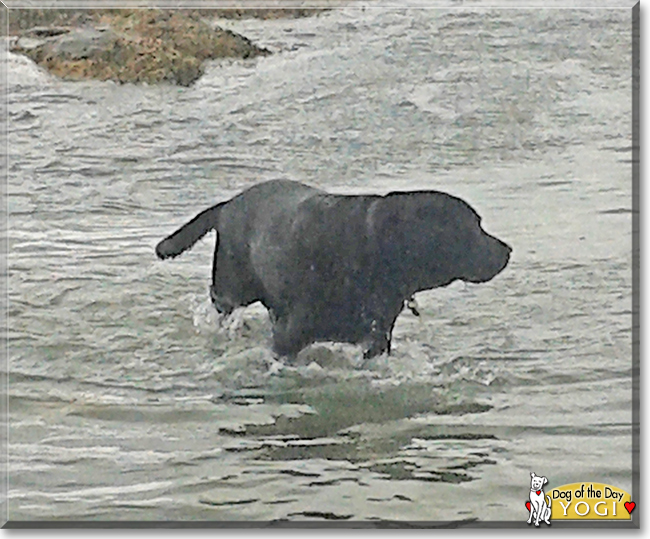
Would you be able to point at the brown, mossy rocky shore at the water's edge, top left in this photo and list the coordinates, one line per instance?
(133, 45)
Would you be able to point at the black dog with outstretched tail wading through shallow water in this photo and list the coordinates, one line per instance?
(333, 267)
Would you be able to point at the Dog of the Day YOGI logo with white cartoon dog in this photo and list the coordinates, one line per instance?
(577, 501)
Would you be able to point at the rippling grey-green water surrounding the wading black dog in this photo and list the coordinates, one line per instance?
(129, 399)
